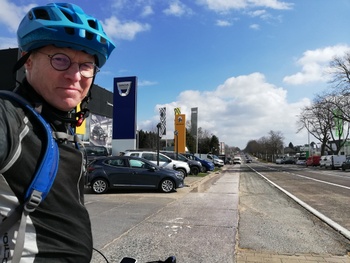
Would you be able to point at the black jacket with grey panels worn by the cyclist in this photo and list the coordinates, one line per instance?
(59, 229)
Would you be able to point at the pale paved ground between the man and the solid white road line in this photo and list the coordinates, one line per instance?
(232, 211)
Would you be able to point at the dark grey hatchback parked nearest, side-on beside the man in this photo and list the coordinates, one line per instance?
(128, 172)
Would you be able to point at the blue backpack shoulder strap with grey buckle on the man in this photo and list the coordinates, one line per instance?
(40, 185)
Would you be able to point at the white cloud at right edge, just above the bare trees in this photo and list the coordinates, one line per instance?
(315, 65)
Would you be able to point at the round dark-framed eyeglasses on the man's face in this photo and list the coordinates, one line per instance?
(62, 62)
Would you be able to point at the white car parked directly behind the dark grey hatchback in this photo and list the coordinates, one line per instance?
(164, 160)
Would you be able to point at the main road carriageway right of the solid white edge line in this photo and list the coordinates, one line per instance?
(326, 191)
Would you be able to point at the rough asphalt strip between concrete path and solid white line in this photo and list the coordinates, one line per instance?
(270, 221)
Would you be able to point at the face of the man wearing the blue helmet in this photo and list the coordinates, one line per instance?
(62, 89)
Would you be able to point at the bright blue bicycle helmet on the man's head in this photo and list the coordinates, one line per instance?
(64, 25)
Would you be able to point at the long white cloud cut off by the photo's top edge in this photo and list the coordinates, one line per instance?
(228, 5)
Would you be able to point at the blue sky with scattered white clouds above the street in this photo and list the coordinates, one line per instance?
(249, 66)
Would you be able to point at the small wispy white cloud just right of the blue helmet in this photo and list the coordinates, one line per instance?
(127, 31)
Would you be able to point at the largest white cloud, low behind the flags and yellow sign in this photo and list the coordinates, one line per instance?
(243, 108)
